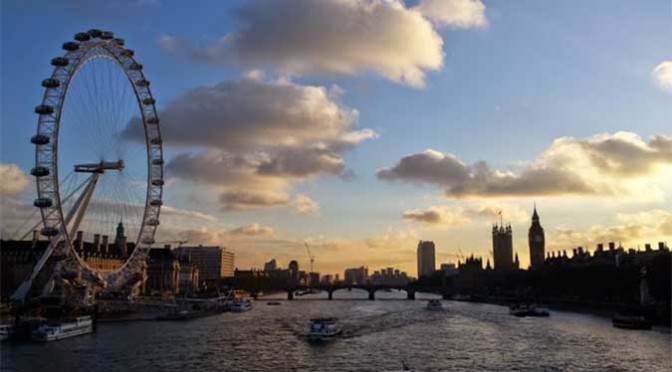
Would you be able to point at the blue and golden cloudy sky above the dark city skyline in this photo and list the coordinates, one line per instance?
(362, 126)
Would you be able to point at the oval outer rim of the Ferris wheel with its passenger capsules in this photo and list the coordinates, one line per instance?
(87, 47)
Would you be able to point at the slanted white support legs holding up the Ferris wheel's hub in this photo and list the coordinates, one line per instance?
(22, 291)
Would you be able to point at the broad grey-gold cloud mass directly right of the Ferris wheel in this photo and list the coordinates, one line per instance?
(258, 138)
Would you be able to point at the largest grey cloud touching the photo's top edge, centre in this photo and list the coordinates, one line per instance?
(299, 37)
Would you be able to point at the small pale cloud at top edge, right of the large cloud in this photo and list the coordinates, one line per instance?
(454, 13)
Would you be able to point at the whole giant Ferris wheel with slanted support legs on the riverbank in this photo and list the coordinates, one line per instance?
(98, 162)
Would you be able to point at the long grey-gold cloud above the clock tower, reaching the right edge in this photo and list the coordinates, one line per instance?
(605, 164)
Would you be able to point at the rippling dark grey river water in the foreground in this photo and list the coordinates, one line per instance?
(378, 336)
